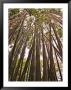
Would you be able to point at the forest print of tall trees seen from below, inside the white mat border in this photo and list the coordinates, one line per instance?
(35, 44)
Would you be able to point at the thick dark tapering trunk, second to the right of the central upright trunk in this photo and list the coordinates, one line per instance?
(52, 74)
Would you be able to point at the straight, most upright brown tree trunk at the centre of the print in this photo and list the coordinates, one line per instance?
(38, 70)
